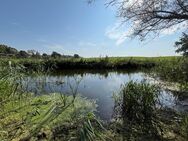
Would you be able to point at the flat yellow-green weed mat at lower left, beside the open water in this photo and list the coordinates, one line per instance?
(41, 117)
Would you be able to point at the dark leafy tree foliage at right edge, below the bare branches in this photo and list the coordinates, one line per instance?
(182, 45)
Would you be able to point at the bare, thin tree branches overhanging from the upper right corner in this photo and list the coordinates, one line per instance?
(151, 16)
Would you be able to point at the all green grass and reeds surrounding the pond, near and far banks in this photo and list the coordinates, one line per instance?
(137, 114)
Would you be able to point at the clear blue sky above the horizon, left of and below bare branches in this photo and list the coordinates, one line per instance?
(74, 27)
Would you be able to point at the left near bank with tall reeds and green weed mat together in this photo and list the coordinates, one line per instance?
(24, 116)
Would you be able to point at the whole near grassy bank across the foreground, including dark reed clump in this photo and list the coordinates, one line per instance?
(24, 116)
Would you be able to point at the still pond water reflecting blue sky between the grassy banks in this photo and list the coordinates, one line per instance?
(92, 86)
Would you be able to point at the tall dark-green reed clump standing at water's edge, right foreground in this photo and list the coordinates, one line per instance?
(136, 107)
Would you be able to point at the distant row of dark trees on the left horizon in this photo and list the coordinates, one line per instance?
(6, 51)
